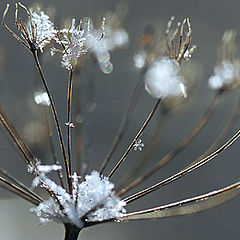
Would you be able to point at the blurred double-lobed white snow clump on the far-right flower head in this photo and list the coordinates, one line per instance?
(223, 75)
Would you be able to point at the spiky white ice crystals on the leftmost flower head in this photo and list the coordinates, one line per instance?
(40, 29)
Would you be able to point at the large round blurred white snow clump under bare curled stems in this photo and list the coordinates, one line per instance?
(162, 79)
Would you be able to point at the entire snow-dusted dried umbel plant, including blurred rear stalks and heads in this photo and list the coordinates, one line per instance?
(78, 199)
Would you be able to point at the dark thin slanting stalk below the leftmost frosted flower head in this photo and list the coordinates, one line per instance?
(59, 131)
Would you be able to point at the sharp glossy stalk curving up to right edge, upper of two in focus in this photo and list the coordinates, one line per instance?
(184, 171)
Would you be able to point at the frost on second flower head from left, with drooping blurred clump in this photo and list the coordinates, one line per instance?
(81, 39)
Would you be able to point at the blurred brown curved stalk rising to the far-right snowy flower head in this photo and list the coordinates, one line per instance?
(182, 145)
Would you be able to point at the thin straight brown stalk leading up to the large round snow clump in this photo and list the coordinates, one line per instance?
(135, 138)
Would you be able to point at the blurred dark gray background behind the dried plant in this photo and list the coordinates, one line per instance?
(209, 21)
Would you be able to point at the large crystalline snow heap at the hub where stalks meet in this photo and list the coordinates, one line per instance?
(93, 199)
